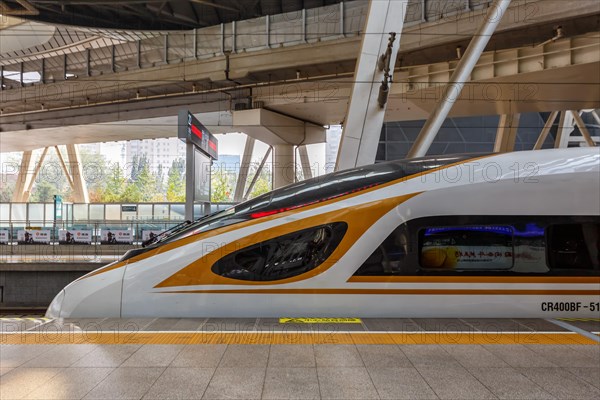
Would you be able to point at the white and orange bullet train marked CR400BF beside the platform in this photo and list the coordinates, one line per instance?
(487, 235)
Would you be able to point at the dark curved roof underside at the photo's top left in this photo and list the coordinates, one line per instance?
(152, 15)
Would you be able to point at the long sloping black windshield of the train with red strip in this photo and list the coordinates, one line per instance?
(316, 190)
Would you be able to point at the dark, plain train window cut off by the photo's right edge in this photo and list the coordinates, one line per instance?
(574, 246)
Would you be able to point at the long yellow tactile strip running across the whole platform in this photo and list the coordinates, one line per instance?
(252, 337)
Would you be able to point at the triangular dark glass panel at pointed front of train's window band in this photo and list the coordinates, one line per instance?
(390, 256)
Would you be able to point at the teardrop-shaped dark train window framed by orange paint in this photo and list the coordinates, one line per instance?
(283, 257)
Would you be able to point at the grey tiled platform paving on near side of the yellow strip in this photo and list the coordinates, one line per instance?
(301, 372)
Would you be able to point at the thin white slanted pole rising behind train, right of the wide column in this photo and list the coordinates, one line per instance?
(458, 79)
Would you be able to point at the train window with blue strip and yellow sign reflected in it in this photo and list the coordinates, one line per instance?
(467, 248)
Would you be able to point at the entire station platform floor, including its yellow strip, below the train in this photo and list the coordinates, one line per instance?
(299, 359)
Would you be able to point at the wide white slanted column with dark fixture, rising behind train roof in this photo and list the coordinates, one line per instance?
(364, 117)
